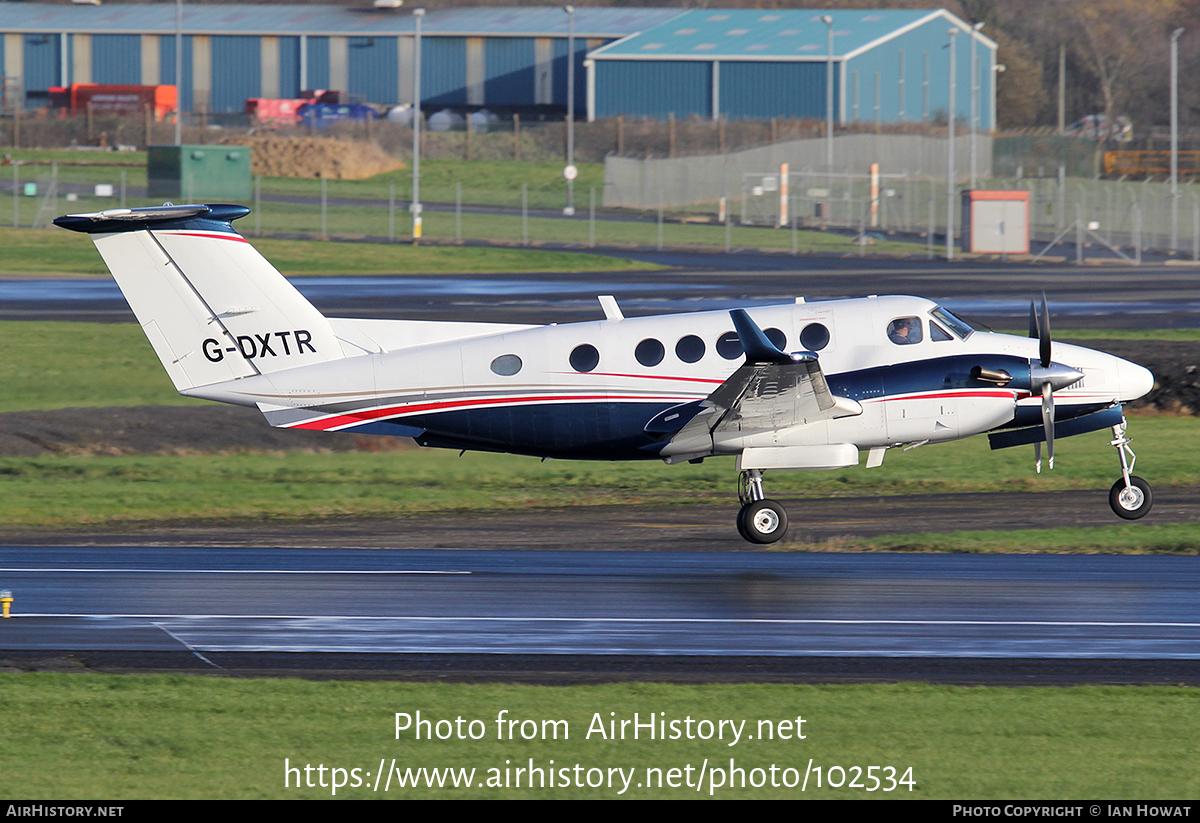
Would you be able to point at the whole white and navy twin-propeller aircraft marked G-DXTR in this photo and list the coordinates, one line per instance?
(794, 387)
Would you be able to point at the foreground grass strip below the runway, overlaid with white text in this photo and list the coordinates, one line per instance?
(91, 737)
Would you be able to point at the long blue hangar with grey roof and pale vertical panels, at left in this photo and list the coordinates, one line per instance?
(470, 57)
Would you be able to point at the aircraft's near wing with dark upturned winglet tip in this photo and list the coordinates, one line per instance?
(771, 391)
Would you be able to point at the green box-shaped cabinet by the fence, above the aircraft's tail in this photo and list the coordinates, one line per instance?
(199, 173)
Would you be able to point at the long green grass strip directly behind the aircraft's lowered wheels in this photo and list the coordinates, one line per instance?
(89, 490)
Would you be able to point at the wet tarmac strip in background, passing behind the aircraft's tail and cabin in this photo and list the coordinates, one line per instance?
(1108, 297)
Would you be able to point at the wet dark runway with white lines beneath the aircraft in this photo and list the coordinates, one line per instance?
(225, 608)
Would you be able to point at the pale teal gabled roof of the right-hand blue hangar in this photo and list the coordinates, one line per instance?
(715, 34)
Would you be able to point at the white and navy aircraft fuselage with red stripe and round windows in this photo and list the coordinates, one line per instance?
(587, 391)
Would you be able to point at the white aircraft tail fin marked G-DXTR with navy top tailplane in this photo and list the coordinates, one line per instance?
(213, 308)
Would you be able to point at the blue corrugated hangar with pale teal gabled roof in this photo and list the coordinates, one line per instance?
(889, 67)
